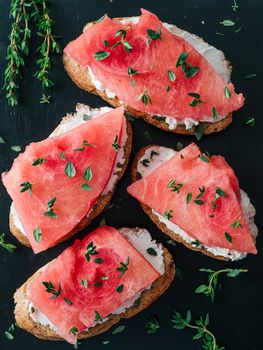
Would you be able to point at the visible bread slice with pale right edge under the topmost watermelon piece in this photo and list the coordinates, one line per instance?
(82, 78)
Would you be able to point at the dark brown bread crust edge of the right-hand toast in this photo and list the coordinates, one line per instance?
(176, 237)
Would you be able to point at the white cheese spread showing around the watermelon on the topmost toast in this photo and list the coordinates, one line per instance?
(214, 56)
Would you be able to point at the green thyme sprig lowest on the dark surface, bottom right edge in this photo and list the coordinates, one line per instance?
(200, 326)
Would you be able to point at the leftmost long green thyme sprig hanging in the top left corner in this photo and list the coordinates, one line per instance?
(17, 48)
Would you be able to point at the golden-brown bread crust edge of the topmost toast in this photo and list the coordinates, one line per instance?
(81, 77)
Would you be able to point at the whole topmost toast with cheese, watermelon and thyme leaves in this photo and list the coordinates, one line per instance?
(167, 76)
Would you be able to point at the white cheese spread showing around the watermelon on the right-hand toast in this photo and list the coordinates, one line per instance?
(156, 160)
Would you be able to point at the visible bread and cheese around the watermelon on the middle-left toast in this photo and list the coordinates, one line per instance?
(68, 122)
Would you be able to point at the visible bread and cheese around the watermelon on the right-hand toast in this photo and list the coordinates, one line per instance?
(164, 155)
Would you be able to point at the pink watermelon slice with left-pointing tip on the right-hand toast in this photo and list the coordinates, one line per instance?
(202, 222)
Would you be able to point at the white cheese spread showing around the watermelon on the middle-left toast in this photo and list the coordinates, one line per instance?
(69, 123)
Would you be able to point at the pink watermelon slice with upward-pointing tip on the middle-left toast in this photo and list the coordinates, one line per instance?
(49, 179)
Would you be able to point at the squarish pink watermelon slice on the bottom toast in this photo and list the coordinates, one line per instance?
(113, 248)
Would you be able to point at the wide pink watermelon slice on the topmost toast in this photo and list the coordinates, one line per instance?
(152, 61)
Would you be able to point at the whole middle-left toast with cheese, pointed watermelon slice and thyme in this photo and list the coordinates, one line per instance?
(59, 185)
